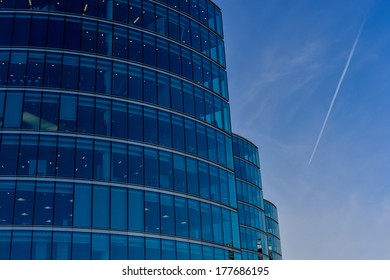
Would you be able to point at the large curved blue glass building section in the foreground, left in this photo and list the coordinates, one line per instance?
(115, 136)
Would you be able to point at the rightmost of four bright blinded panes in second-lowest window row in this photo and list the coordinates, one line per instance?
(136, 210)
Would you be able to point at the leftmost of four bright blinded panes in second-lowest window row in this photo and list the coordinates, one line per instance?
(82, 205)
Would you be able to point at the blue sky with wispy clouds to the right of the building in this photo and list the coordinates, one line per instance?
(285, 59)
